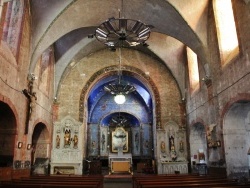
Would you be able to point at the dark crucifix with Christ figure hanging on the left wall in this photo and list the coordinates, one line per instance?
(31, 96)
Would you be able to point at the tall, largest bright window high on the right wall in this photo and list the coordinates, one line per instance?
(226, 30)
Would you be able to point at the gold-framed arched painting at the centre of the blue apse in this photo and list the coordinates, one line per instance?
(119, 139)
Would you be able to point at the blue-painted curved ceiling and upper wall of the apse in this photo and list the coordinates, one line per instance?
(102, 108)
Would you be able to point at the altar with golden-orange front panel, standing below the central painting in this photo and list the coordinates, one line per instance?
(120, 163)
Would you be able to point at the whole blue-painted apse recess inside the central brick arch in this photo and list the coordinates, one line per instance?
(104, 116)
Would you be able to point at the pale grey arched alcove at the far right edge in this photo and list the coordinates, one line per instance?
(236, 131)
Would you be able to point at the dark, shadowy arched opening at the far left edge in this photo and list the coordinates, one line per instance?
(7, 135)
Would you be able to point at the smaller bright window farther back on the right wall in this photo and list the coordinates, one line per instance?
(193, 70)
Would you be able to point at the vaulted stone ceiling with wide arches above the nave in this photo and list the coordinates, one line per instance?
(66, 24)
